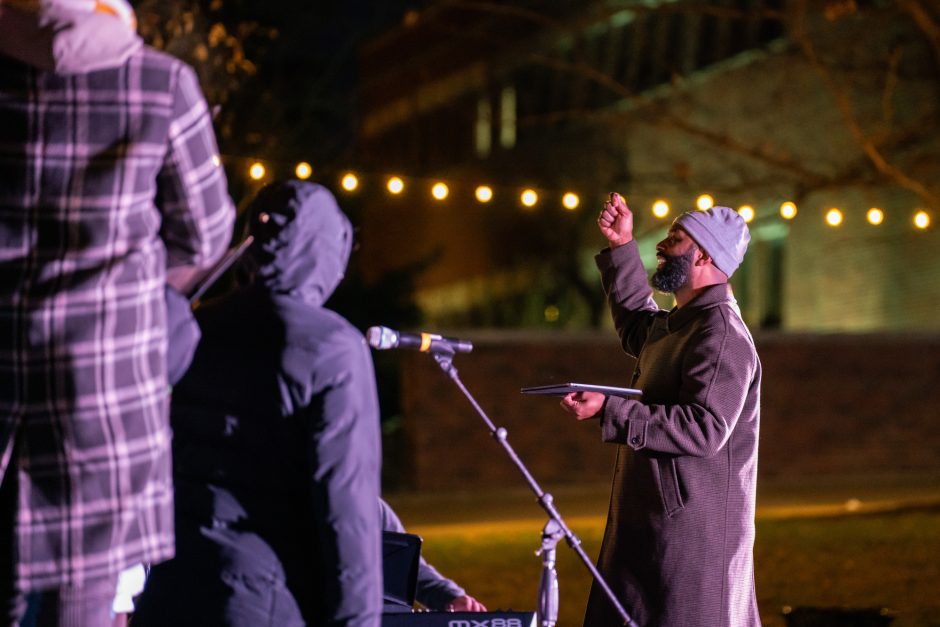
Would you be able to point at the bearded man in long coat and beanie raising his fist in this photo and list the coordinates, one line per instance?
(678, 548)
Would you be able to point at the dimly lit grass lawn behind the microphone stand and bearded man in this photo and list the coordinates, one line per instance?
(864, 560)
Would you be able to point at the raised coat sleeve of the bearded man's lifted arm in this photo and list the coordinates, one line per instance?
(628, 295)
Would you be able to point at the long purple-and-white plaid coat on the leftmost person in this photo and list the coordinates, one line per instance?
(107, 178)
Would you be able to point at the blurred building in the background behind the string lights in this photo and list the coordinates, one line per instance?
(825, 105)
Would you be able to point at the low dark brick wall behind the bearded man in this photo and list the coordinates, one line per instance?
(832, 404)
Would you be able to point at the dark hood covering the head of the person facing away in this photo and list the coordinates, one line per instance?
(302, 241)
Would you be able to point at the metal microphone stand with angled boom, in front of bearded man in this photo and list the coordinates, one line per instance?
(554, 529)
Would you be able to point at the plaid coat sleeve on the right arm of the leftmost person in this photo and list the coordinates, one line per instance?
(192, 192)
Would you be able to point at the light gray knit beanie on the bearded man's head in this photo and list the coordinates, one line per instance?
(721, 233)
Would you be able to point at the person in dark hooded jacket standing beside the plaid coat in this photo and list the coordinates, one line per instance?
(276, 441)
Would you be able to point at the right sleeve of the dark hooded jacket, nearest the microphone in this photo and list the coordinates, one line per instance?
(345, 462)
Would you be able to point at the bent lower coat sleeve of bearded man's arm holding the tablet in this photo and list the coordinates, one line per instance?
(717, 372)
